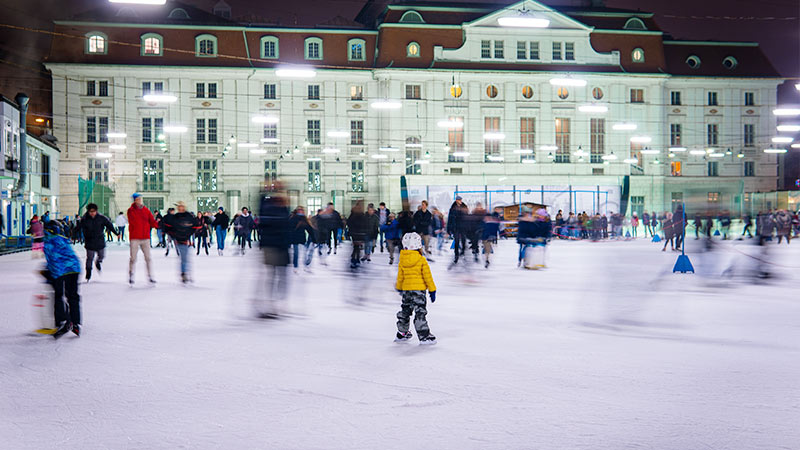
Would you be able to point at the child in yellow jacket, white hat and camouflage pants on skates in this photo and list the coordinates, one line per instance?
(413, 279)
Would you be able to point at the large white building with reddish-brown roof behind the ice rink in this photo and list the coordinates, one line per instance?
(573, 115)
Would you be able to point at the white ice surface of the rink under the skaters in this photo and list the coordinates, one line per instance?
(605, 349)
